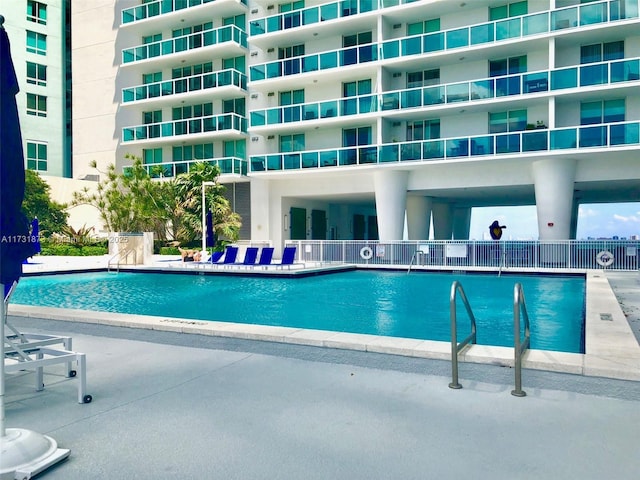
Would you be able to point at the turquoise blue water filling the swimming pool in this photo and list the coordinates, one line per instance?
(380, 303)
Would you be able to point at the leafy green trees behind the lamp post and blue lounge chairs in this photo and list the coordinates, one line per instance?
(132, 201)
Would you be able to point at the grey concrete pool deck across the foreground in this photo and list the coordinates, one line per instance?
(168, 405)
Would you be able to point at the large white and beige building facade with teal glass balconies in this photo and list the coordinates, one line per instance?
(364, 119)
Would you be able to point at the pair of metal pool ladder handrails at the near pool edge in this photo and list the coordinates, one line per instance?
(521, 344)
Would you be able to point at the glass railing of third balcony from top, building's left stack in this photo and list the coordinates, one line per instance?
(193, 83)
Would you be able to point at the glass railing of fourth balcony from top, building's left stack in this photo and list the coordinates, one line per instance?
(188, 126)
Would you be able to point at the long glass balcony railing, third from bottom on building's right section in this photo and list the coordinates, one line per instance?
(490, 32)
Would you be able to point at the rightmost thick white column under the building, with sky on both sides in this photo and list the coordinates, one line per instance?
(553, 182)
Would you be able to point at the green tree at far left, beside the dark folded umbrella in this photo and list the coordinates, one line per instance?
(37, 203)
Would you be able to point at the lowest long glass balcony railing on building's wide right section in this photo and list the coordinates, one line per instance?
(603, 135)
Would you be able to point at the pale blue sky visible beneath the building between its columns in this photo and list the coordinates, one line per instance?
(594, 220)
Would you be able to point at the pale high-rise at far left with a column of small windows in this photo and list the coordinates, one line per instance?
(40, 39)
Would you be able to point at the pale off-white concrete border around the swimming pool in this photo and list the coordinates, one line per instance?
(612, 349)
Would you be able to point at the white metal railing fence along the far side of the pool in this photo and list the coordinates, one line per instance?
(470, 254)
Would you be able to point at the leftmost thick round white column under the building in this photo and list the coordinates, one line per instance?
(391, 202)
